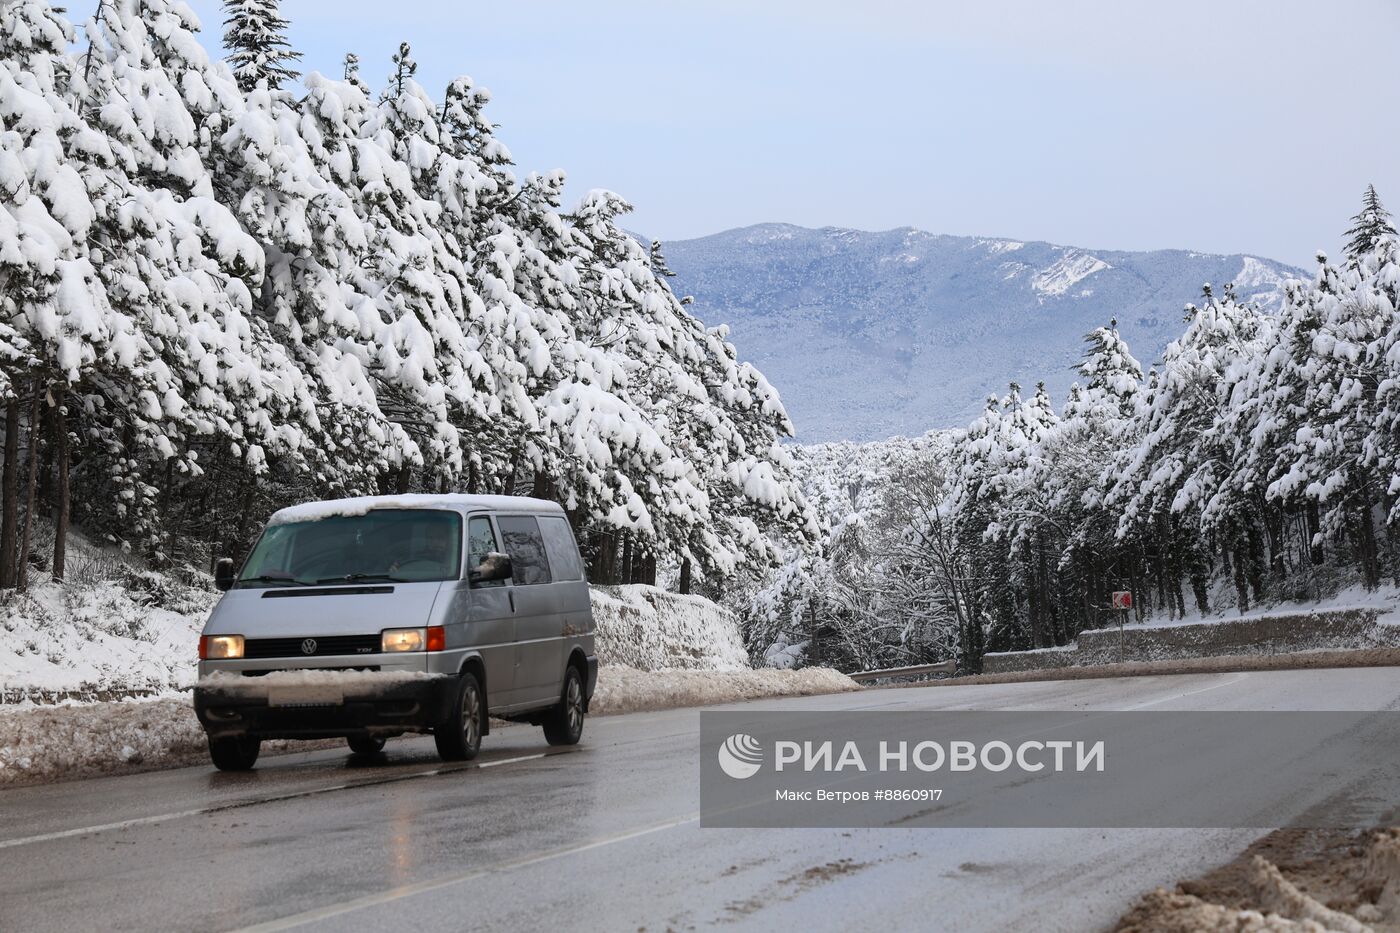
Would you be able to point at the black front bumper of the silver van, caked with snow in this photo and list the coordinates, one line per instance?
(362, 707)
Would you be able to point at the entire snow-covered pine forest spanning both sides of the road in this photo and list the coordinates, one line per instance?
(227, 286)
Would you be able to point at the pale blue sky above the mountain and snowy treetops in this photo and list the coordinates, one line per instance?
(1226, 127)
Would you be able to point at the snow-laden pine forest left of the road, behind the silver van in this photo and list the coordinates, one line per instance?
(226, 288)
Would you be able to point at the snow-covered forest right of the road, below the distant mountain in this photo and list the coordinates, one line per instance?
(1258, 462)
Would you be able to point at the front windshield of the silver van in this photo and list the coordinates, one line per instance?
(400, 546)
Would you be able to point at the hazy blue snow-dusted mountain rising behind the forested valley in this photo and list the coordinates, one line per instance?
(877, 334)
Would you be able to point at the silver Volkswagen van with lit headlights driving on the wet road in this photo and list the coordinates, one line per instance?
(369, 618)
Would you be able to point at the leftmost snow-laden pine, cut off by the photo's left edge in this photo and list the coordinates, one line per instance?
(51, 331)
